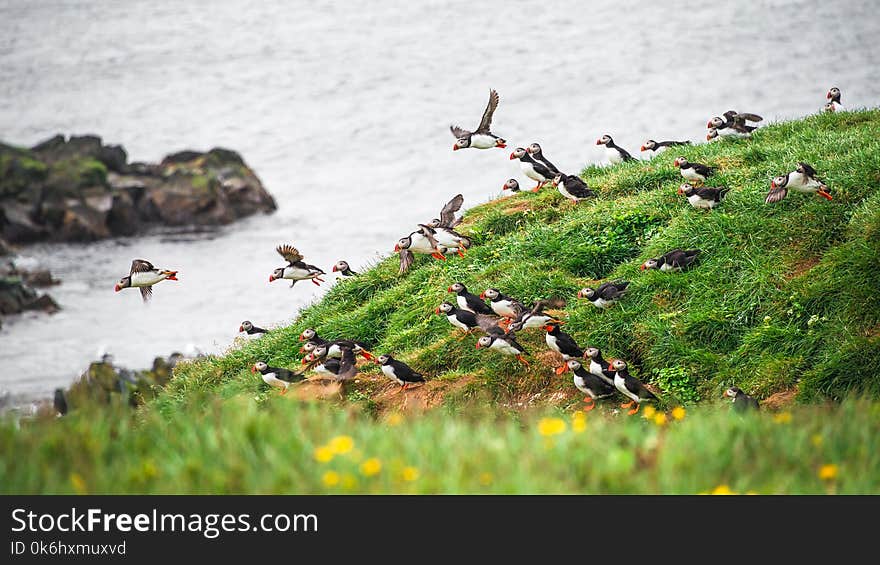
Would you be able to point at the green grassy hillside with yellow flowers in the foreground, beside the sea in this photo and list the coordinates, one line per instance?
(784, 302)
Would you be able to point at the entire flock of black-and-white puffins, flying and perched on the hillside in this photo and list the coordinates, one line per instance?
(503, 316)
